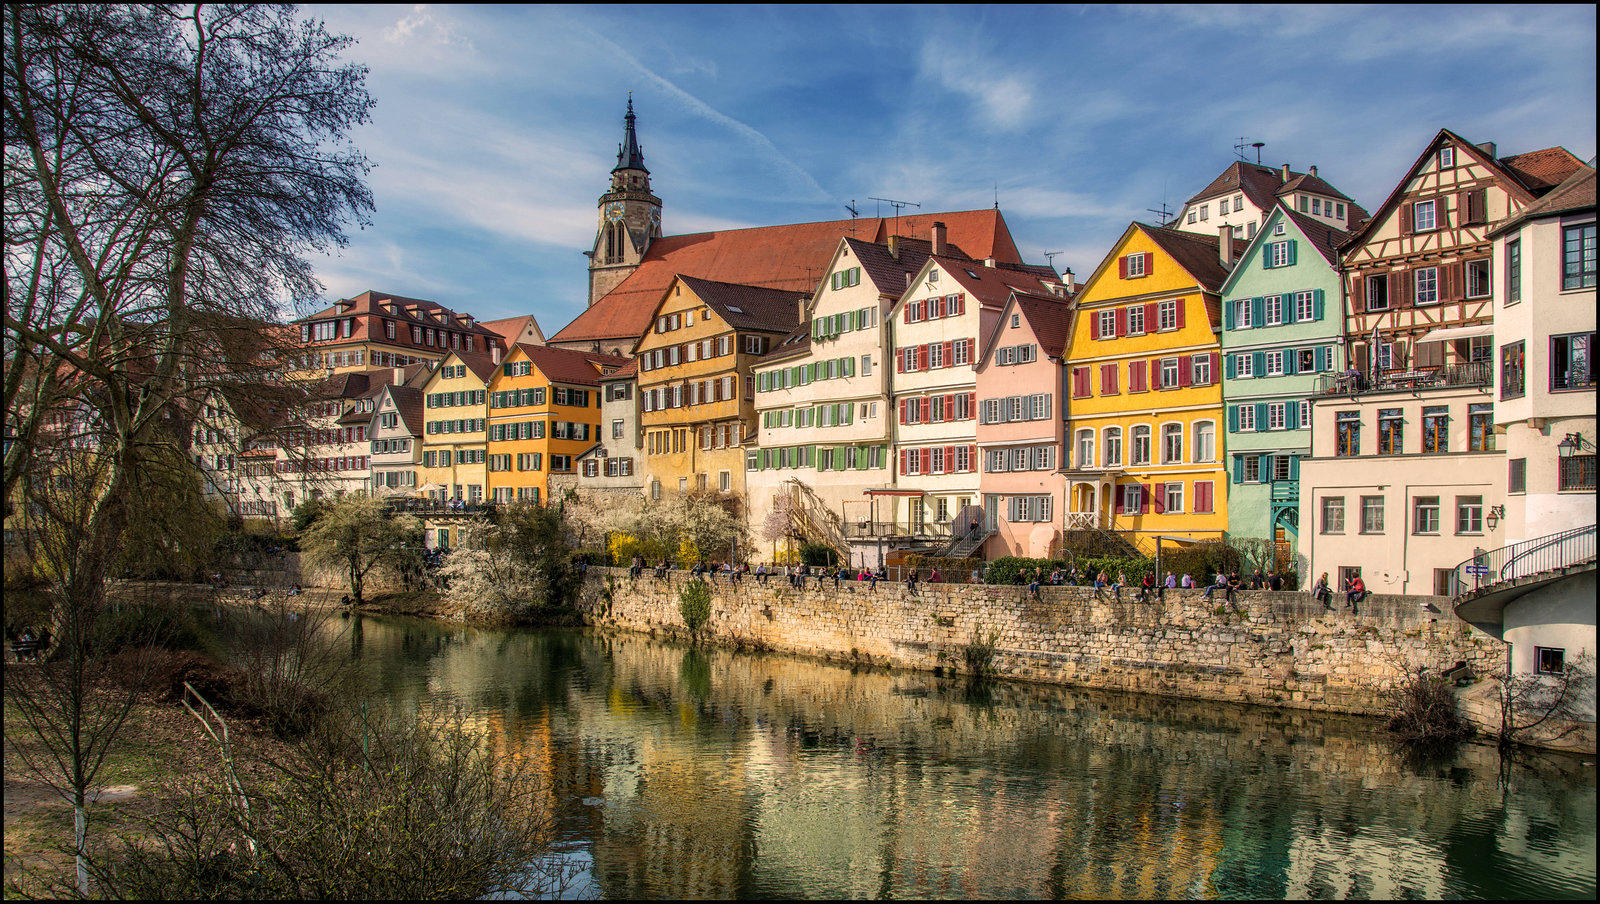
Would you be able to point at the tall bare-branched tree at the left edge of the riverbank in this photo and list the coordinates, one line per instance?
(167, 172)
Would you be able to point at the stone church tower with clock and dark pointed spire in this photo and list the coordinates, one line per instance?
(630, 217)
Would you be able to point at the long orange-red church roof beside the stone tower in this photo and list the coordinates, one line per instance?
(769, 257)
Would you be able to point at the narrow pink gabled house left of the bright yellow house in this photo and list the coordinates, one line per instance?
(1020, 426)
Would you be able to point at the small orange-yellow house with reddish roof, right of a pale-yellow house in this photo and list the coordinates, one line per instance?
(543, 414)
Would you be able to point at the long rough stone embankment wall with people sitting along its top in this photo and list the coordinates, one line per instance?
(1274, 649)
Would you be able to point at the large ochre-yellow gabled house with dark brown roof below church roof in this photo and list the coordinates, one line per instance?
(697, 396)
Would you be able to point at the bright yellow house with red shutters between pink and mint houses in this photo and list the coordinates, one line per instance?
(1145, 390)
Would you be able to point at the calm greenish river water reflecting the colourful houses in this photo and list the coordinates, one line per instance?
(703, 774)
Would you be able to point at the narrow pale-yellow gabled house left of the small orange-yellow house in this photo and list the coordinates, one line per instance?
(455, 409)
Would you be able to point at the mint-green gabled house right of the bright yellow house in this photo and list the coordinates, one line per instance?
(1282, 326)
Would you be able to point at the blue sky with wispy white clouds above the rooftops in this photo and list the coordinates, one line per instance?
(497, 127)
